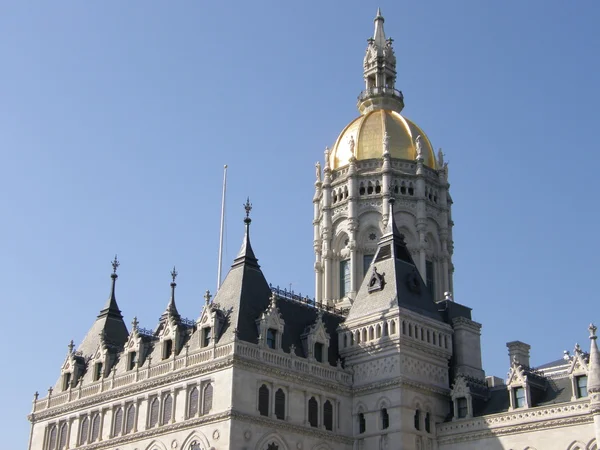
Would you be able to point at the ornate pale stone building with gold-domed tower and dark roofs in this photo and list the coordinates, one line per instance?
(383, 358)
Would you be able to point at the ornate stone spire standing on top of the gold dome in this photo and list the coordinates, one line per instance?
(379, 72)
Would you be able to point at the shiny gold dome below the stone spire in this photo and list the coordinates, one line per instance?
(368, 131)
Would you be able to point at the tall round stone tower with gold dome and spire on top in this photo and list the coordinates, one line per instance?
(378, 155)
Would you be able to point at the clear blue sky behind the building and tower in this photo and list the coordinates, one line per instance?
(116, 119)
